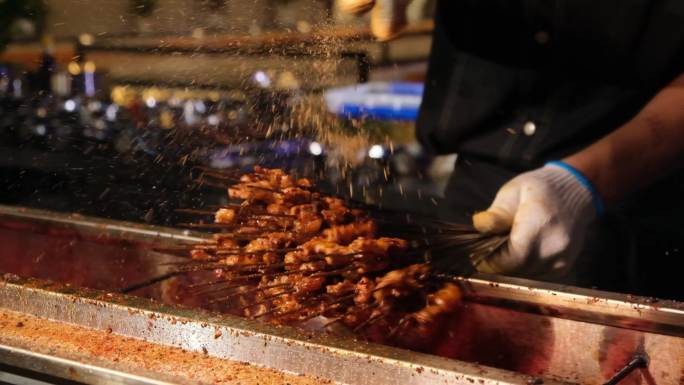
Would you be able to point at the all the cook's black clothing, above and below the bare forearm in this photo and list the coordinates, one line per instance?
(515, 83)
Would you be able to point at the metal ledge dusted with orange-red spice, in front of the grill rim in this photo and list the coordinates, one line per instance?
(35, 347)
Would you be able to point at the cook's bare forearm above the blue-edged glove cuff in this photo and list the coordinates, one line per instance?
(642, 150)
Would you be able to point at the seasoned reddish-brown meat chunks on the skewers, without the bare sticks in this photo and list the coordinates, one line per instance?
(289, 254)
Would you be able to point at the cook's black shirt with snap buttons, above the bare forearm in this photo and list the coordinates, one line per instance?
(519, 82)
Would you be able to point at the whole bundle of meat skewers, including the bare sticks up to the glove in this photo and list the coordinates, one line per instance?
(286, 253)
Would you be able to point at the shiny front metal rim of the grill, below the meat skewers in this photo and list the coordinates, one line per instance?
(237, 339)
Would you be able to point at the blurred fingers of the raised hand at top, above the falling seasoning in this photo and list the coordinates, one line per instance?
(388, 17)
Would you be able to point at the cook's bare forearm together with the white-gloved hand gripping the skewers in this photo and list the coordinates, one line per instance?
(547, 211)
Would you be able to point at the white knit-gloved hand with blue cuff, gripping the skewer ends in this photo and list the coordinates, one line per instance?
(547, 212)
